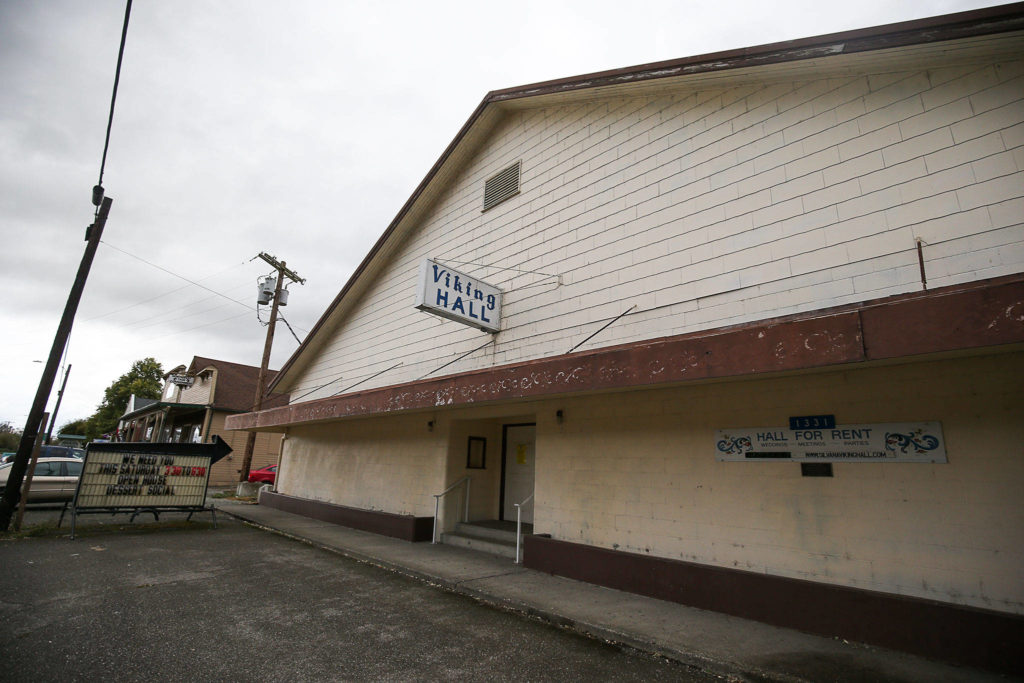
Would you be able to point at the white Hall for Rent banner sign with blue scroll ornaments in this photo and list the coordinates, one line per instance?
(889, 443)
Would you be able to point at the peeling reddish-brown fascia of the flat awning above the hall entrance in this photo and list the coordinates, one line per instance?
(960, 318)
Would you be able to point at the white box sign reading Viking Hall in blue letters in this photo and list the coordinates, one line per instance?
(452, 294)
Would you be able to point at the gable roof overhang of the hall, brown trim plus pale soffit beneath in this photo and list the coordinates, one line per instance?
(861, 49)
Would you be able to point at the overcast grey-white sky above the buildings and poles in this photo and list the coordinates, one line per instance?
(297, 129)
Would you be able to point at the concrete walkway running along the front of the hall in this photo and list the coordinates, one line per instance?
(733, 648)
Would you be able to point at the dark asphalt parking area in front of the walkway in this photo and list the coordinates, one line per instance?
(238, 604)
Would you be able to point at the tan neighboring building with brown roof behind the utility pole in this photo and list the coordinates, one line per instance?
(195, 402)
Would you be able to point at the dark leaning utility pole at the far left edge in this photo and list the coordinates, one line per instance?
(13, 493)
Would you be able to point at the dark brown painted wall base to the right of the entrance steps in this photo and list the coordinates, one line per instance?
(961, 635)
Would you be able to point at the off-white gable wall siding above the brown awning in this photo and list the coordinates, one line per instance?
(707, 208)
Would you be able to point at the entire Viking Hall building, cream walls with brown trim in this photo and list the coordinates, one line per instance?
(691, 255)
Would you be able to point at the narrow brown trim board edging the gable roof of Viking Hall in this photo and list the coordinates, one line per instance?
(984, 22)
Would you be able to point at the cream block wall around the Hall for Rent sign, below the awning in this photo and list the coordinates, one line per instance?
(636, 473)
